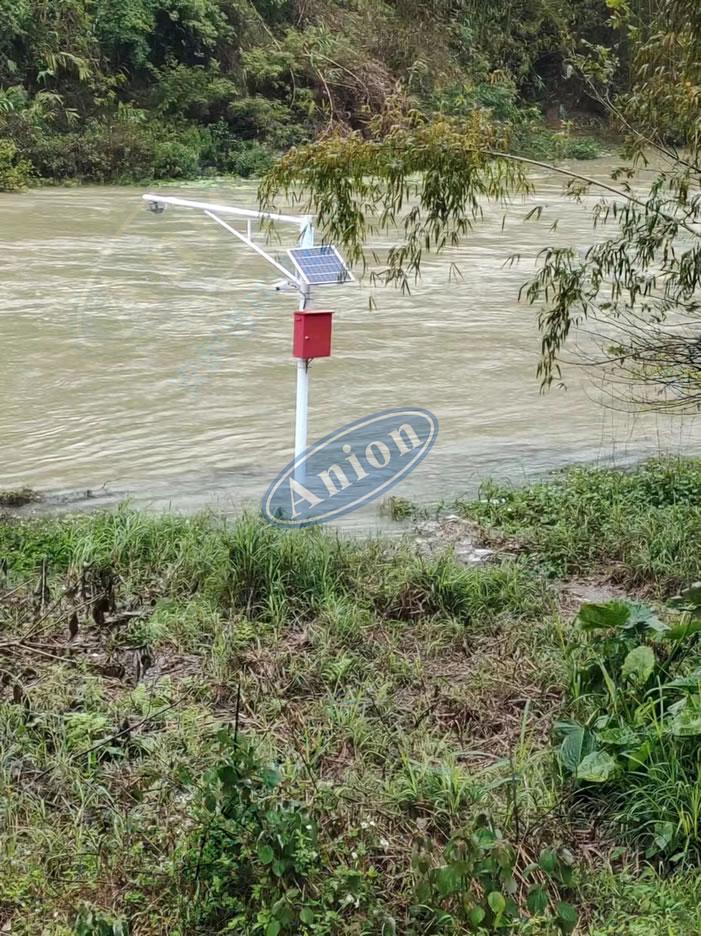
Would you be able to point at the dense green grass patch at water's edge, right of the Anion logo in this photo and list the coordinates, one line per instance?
(640, 528)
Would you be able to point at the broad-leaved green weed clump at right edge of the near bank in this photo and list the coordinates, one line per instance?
(631, 743)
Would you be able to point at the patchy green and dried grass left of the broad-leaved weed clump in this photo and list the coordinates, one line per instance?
(388, 689)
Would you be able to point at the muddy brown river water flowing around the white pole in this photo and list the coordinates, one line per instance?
(147, 356)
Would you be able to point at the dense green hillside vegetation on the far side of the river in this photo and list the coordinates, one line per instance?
(132, 89)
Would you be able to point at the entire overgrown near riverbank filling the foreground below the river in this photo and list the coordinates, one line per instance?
(213, 725)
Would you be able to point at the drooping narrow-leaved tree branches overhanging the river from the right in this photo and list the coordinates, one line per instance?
(638, 288)
